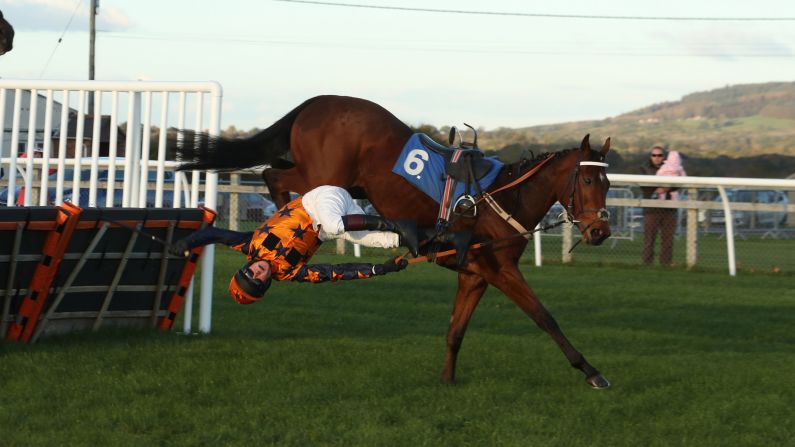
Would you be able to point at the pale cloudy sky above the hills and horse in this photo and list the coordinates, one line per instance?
(492, 64)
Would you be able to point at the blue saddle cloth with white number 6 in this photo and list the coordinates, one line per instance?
(425, 170)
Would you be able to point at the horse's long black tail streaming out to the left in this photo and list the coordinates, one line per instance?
(198, 150)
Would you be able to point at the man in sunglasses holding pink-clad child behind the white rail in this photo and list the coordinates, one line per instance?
(659, 220)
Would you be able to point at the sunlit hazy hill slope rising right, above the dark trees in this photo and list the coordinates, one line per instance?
(733, 121)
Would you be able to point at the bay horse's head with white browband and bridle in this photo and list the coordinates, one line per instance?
(585, 193)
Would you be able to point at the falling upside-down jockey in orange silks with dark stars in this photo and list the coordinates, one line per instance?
(279, 249)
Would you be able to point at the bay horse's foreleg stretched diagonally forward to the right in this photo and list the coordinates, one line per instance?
(511, 282)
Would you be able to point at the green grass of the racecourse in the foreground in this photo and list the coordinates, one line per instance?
(695, 359)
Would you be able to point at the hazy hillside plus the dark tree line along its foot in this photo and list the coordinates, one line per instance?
(736, 131)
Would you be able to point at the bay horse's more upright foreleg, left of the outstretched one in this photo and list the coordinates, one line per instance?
(470, 290)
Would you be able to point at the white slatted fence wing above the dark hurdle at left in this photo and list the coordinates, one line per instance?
(43, 170)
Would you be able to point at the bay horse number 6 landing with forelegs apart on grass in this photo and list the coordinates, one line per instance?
(354, 143)
